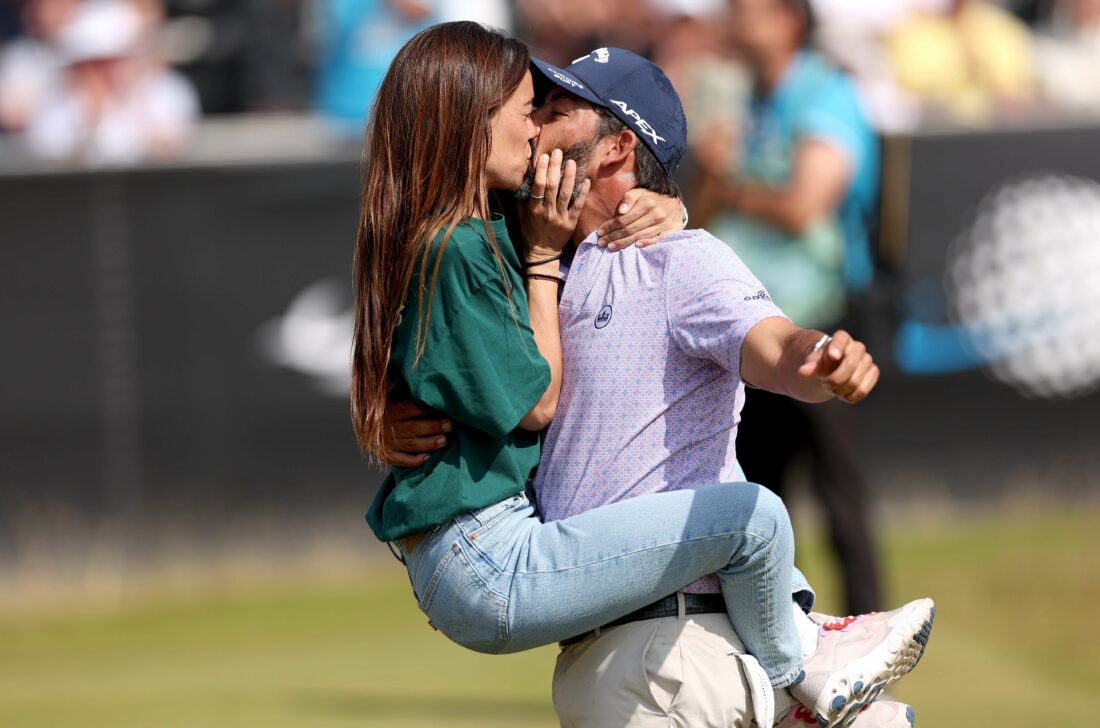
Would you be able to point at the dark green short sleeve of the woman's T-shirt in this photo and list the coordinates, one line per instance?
(481, 366)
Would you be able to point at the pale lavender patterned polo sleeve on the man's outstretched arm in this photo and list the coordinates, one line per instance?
(713, 302)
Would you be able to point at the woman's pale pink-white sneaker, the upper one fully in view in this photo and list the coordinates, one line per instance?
(857, 657)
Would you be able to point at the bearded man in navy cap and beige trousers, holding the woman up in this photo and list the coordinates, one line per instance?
(656, 343)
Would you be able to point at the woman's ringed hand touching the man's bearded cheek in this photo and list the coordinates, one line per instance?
(549, 219)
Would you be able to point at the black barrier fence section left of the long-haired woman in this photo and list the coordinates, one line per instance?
(144, 335)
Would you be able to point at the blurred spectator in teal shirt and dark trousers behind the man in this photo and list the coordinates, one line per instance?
(797, 203)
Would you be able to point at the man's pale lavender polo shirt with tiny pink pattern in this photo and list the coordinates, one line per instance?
(652, 394)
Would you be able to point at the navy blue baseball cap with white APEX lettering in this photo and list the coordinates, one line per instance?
(634, 90)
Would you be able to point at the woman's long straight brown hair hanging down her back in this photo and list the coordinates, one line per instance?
(426, 150)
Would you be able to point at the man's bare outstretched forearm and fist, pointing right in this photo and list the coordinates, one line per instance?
(806, 365)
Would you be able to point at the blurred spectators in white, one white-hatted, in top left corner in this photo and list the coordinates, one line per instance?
(84, 80)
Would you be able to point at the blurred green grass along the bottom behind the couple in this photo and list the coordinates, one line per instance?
(1016, 644)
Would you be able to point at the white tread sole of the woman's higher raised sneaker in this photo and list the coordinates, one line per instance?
(889, 663)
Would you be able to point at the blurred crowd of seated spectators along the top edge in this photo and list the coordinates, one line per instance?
(112, 82)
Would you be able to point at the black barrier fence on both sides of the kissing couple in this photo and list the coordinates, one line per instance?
(183, 332)
